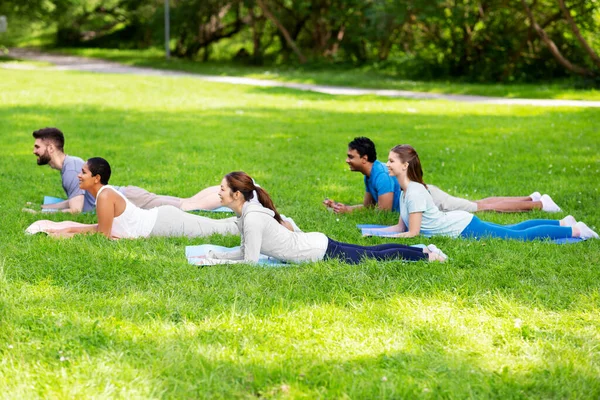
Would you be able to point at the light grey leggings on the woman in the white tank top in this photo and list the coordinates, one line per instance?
(171, 221)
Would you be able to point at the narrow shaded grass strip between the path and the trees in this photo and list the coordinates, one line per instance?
(366, 77)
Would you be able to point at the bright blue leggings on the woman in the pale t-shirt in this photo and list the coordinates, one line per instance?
(527, 230)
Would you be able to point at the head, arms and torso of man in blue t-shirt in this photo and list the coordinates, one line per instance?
(381, 189)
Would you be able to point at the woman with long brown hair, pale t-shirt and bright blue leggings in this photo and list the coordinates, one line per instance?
(418, 213)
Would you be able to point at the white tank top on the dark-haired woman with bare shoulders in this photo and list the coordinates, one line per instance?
(134, 222)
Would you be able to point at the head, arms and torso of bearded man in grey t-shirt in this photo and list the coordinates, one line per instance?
(49, 150)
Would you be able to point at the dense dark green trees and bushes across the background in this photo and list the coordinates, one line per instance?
(474, 39)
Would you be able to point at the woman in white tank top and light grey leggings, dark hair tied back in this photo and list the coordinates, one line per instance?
(119, 218)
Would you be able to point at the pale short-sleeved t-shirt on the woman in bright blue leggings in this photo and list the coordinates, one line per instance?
(416, 198)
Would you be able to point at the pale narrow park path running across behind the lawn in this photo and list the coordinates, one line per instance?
(76, 63)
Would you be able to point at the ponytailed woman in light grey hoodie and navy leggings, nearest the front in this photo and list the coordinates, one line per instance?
(261, 232)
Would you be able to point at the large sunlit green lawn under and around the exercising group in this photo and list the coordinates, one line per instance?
(88, 317)
